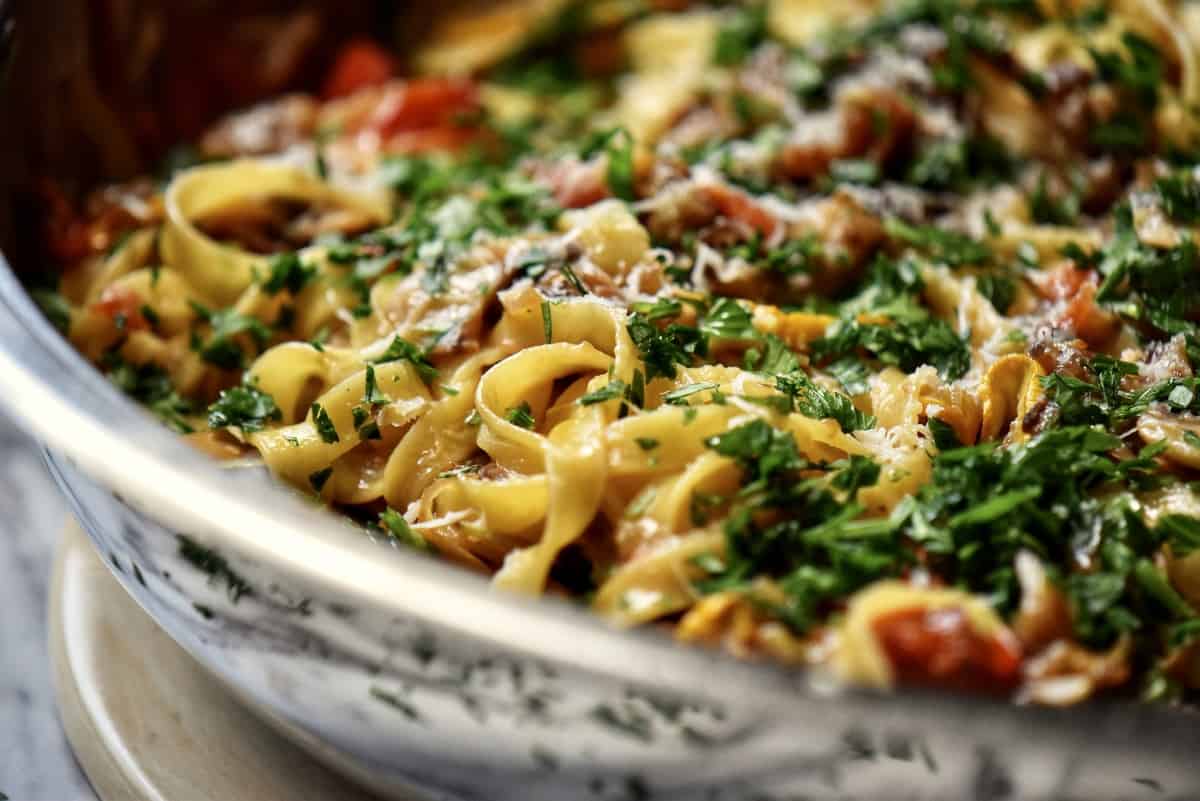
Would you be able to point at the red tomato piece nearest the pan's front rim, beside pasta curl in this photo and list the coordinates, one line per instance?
(940, 648)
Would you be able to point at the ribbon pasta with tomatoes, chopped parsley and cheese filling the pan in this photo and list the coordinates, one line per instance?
(859, 335)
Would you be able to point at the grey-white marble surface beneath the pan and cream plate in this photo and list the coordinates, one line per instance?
(35, 761)
